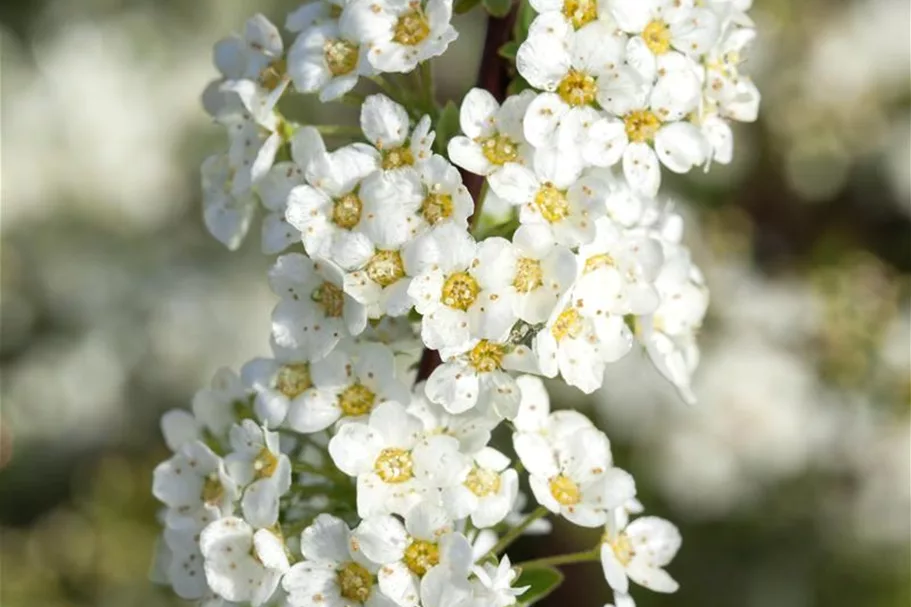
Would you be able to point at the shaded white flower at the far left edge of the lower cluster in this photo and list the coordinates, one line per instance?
(194, 482)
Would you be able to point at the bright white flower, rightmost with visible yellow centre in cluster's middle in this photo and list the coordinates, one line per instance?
(618, 271)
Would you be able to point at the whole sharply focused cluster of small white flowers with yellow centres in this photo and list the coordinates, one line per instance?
(347, 469)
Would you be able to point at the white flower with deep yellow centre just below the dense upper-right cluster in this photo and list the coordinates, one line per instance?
(553, 196)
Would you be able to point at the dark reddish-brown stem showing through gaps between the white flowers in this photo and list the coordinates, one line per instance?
(494, 77)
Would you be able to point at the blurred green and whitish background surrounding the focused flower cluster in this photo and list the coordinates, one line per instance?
(789, 480)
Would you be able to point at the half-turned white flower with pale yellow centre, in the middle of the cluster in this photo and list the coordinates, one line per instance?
(544, 271)
